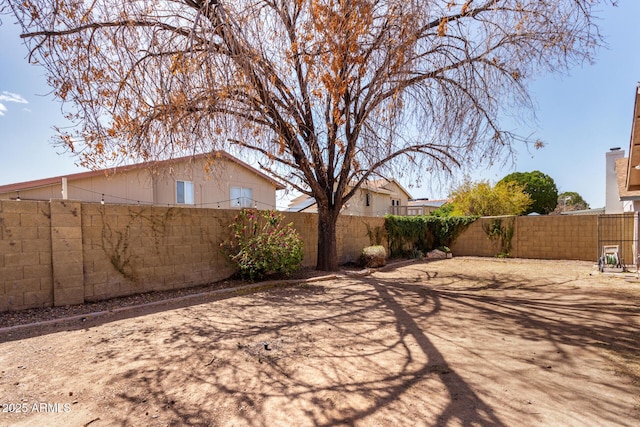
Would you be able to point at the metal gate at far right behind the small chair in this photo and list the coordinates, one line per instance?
(619, 230)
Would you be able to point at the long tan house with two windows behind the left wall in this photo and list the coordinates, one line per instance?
(216, 180)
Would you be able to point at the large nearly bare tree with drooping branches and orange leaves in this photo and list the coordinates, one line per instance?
(323, 93)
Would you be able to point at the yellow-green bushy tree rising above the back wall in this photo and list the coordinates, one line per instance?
(481, 199)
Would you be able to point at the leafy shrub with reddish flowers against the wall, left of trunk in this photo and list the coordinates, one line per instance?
(260, 244)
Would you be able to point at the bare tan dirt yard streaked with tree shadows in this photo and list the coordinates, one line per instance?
(460, 342)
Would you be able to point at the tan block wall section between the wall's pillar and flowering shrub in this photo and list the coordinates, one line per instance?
(132, 249)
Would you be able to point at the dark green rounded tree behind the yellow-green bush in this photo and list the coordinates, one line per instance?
(541, 188)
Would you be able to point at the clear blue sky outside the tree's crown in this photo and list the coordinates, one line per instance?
(580, 115)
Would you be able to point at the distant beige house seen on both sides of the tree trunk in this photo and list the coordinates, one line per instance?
(374, 198)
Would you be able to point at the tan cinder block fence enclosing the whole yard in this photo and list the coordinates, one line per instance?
(66, 252)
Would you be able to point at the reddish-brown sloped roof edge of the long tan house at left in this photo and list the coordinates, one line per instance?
(119, 169)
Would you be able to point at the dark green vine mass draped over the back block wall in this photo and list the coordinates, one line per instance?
(409, 234)
